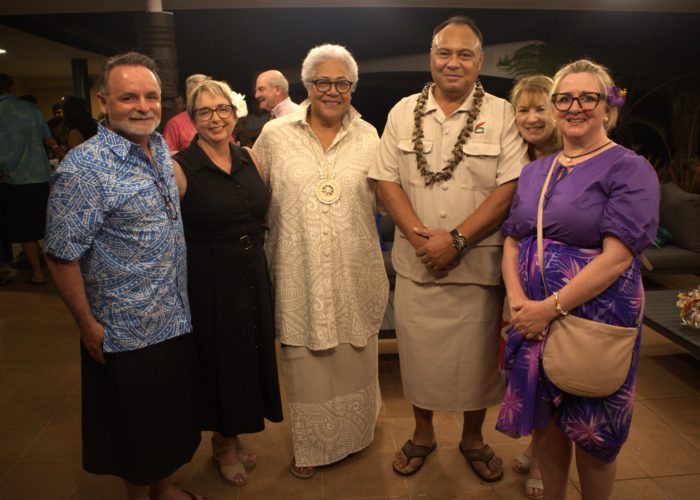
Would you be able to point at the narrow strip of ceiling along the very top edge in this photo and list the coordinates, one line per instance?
(13, 7)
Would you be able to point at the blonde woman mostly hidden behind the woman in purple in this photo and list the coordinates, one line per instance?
(534, 119)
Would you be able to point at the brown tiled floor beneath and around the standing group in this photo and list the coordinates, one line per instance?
(40, 429)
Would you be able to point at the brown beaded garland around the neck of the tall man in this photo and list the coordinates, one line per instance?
(457, 153)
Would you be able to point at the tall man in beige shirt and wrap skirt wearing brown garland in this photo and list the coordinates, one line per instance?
(448, 195)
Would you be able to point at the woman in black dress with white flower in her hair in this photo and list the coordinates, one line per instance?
(224, 204)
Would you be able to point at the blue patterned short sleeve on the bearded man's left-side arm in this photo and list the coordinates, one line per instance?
(76, 211)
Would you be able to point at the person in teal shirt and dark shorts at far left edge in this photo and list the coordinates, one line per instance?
(24, 172)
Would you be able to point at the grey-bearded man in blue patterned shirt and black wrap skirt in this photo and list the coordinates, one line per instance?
(117, 254)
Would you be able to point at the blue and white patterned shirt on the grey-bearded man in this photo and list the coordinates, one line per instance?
(119, 214)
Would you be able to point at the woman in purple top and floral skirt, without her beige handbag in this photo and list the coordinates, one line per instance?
(600, 213)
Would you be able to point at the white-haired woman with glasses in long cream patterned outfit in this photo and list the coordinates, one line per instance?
(331, 288)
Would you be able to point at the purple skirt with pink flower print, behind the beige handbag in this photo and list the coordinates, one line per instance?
(598, 425)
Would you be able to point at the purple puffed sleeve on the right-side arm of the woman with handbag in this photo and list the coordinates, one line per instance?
(632, 211)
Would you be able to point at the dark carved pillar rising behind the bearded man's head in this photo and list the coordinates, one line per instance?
(155, 37)
